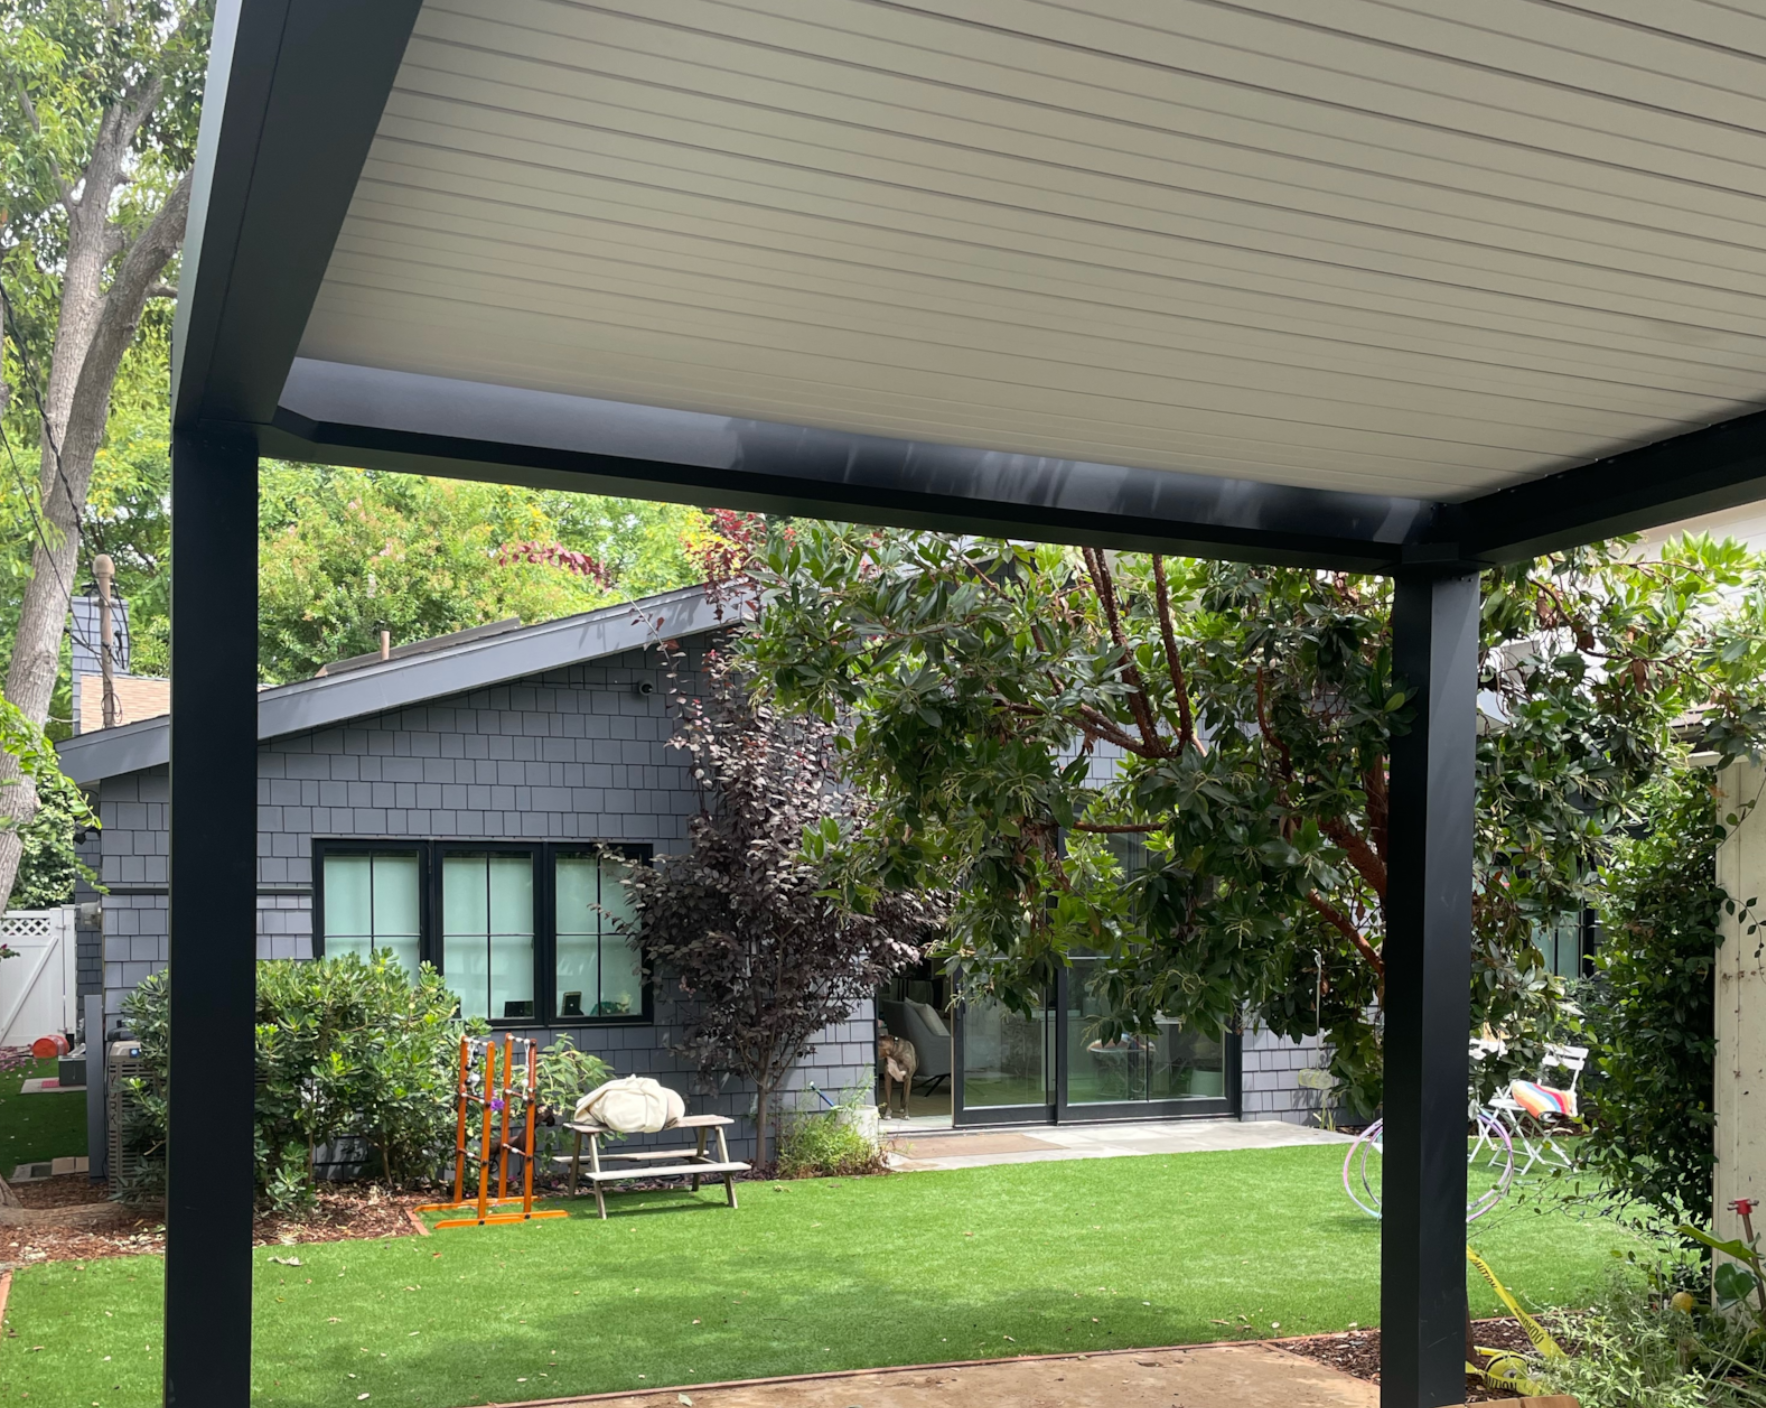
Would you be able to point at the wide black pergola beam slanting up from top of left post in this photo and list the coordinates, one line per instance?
(296, 93)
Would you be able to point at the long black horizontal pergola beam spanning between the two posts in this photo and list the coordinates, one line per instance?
(428, 425)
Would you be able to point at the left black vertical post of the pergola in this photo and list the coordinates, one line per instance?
(215, 882)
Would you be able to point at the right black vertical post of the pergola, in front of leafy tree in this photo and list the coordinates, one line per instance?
(1423, 1260)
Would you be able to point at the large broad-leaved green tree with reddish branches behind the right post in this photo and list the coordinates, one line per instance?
(1232, 856)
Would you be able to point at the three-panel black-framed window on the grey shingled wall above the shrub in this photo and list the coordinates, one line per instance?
(524, 934)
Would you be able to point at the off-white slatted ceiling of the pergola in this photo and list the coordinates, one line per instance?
(1401, 246)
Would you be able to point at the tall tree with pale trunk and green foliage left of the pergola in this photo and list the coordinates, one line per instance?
(98, 135)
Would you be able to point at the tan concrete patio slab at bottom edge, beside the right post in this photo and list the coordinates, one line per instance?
(1207, 1377)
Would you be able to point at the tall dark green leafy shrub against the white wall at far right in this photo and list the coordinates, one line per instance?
(1650, 1008)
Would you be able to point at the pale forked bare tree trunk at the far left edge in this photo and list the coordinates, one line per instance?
(93, 335)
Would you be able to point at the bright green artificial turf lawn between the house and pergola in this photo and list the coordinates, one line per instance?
(810, 1276)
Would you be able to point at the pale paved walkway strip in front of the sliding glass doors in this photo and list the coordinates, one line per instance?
(919, 1149)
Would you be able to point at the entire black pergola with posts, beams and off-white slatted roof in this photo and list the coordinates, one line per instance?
(395, 202)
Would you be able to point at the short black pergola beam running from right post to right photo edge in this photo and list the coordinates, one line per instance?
(1702, 473)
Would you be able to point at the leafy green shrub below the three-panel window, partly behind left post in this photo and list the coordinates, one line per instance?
(349, 1050)
